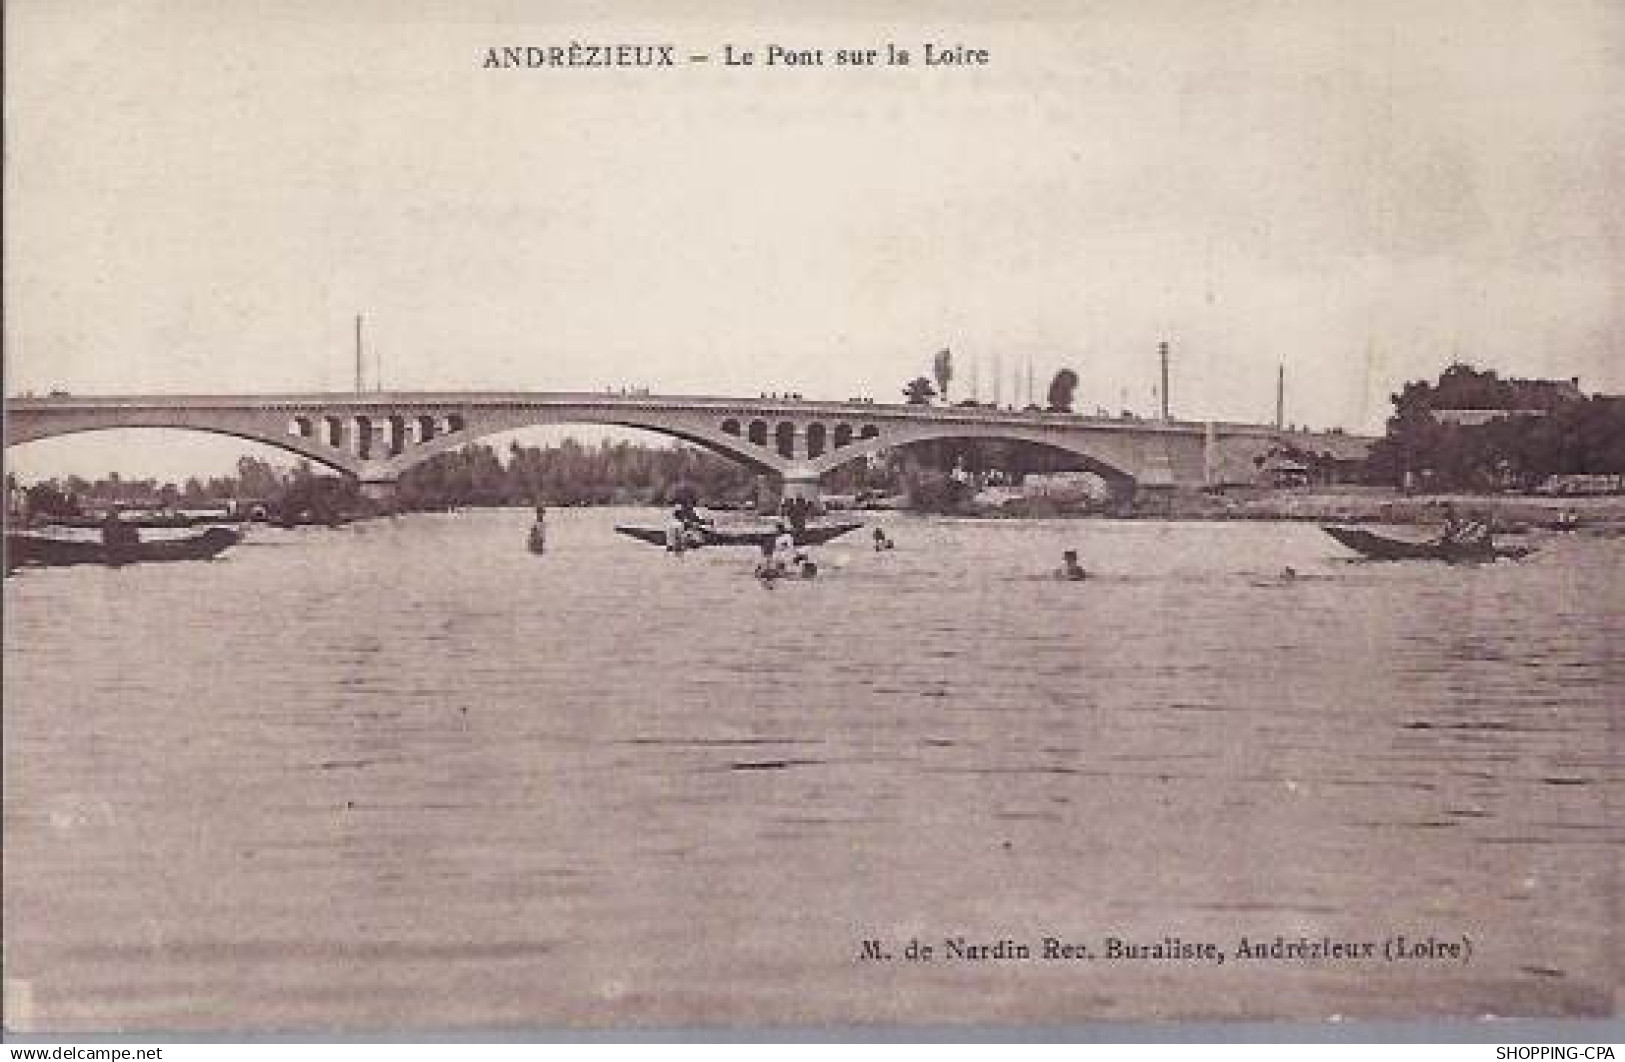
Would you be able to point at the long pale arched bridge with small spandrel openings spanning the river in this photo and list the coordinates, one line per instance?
(375, 438)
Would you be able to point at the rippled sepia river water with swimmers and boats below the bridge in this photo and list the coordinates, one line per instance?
(407, 775)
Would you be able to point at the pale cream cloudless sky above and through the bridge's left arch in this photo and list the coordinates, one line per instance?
(201, 196)
